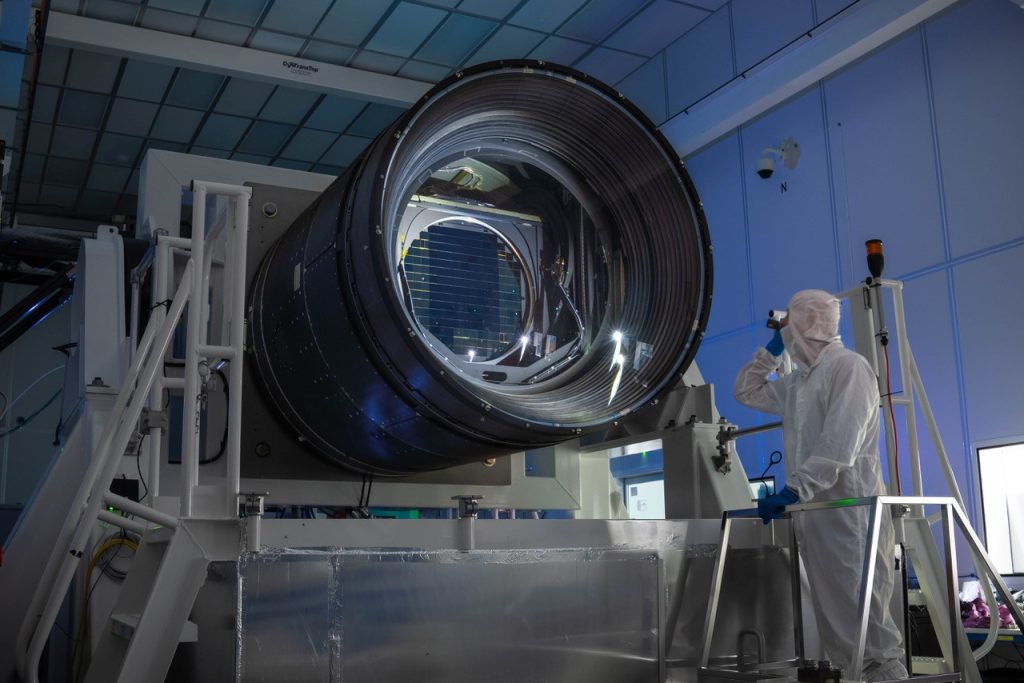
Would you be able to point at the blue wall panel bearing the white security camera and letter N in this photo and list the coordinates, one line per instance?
(792, 245)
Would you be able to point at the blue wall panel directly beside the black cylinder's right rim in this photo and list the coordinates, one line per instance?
(716, 175)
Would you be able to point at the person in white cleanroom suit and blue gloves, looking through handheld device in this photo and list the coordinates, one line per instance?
(830, 409)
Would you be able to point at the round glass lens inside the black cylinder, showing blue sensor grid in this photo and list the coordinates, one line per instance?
(502, 270)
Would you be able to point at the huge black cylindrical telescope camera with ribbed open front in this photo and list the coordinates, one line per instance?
(520, 261)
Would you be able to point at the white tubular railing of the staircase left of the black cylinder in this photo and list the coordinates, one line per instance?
(146, 383)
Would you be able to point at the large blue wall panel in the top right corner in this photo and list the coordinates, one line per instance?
(977, 60)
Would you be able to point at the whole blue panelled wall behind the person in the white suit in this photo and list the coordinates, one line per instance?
(919, 145)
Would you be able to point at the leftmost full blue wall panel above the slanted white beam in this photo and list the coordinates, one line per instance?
(700, 62)
